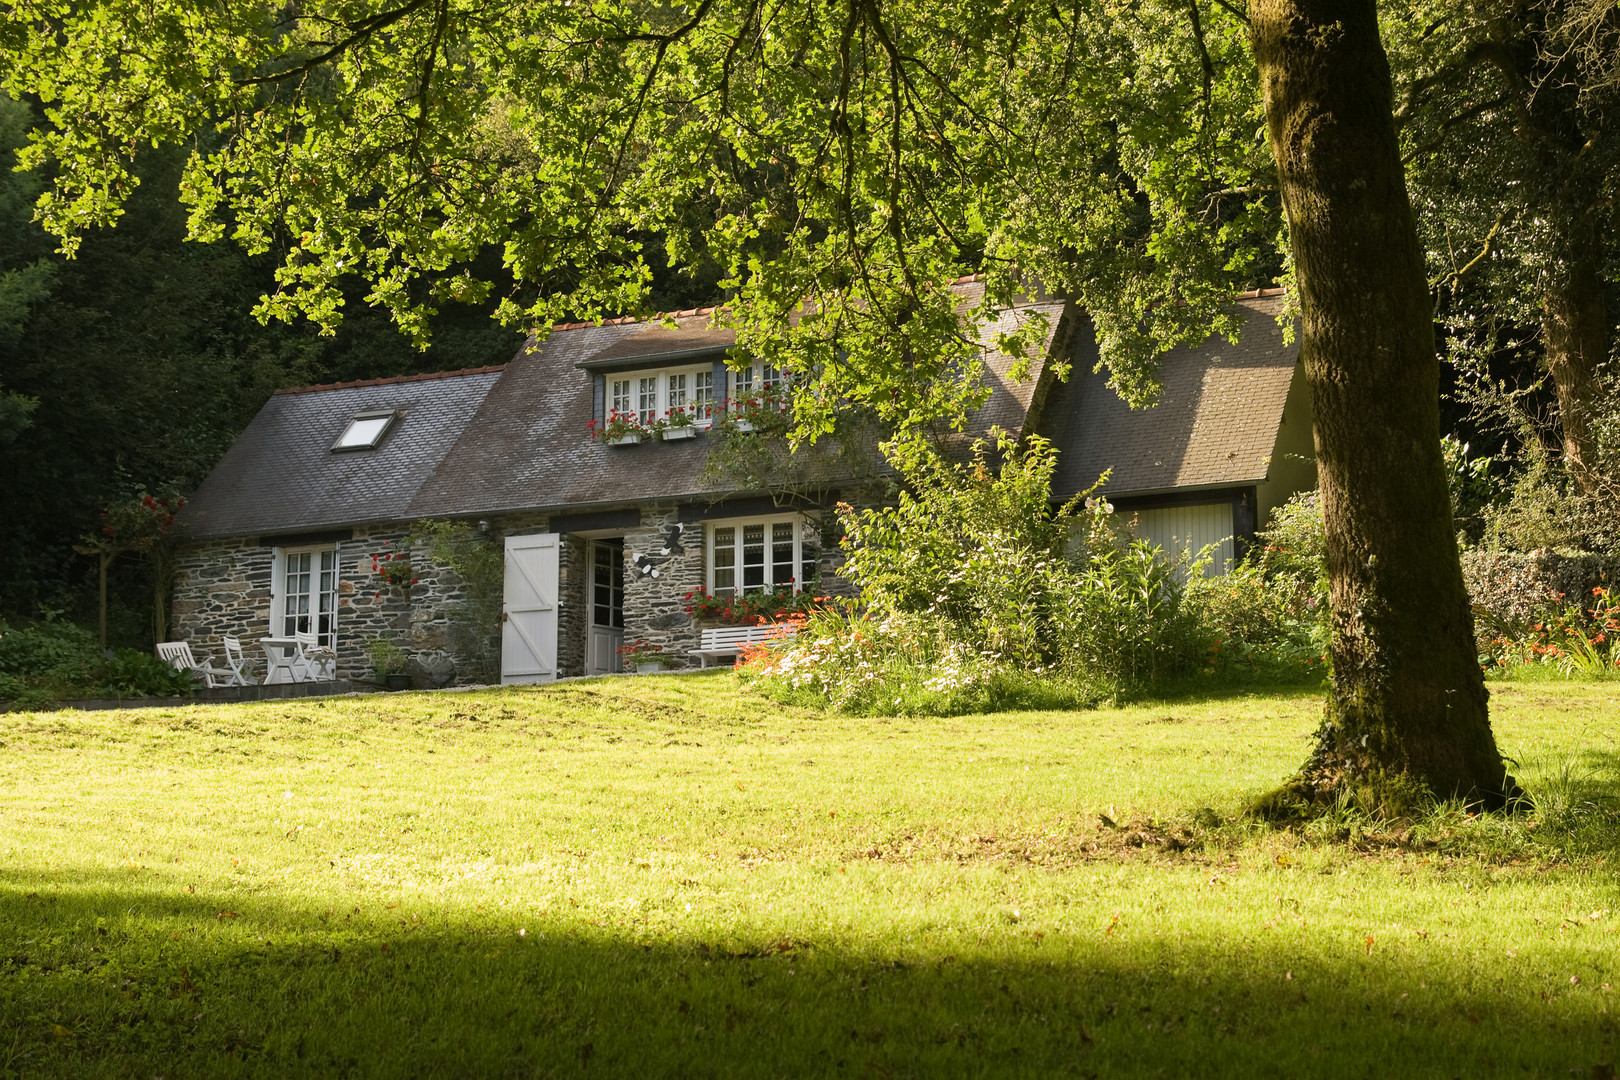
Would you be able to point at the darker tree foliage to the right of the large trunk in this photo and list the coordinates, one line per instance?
(1509, 113)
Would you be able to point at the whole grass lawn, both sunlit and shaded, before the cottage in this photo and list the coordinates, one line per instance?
(673, 877)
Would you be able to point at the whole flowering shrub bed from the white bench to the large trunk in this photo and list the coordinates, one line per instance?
(979, 595)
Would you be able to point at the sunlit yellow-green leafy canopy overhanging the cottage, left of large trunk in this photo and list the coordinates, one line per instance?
(840, 163)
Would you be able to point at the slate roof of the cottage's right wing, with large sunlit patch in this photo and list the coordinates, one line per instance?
(1214, 427)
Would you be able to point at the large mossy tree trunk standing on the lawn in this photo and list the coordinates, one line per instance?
(1407, 710)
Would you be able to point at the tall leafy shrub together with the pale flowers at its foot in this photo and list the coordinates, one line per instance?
(978, 592)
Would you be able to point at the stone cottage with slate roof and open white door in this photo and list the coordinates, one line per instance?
(586, 464)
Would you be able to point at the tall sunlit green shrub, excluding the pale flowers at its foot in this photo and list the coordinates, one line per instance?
(979, 553)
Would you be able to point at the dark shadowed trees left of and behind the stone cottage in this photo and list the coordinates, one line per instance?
(135, 365)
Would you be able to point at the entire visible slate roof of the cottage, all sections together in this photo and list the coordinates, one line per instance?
(514, 438)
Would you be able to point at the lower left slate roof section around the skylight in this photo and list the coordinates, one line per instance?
(283, 477)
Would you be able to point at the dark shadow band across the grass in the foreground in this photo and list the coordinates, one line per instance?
(104, 979)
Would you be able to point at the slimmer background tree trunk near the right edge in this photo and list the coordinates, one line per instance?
(1575, 334)
